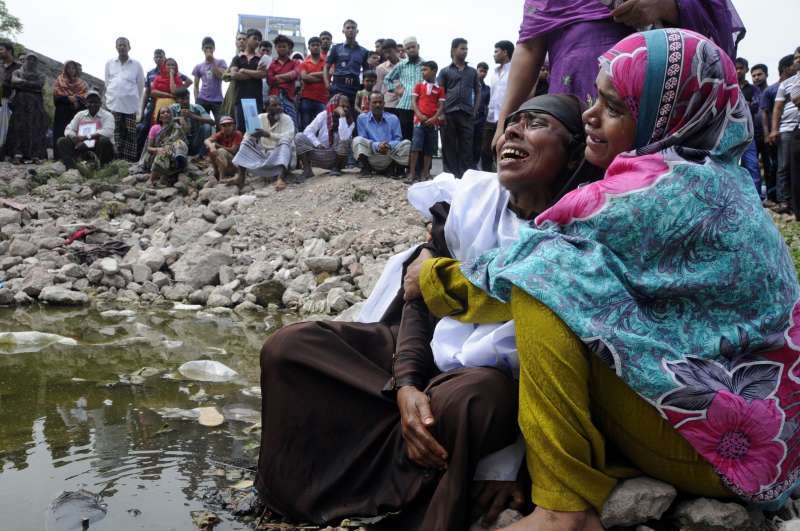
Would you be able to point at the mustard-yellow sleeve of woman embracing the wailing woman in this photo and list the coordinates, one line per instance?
(447, 293)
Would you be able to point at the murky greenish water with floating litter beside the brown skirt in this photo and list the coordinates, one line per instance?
(68, 423)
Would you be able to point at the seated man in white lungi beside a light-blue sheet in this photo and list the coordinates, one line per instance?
(269, 150)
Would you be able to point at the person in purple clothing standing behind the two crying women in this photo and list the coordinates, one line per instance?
(576, 32)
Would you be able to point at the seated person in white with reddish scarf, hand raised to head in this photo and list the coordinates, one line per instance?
(325, 142)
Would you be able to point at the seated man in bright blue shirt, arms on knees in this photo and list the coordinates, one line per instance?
(380, 145)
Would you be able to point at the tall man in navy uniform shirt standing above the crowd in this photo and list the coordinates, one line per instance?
(349, 60)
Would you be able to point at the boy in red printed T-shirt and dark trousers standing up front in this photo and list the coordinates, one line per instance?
(427, 102)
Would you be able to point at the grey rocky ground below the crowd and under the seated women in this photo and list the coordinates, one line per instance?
(314, 249)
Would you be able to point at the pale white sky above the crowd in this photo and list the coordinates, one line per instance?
(86, 30)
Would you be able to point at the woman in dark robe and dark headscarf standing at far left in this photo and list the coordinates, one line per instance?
(27, 131)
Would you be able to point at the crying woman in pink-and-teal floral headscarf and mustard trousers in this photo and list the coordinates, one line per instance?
(656, 310)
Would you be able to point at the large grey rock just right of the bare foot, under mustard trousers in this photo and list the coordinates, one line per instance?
(636, 501)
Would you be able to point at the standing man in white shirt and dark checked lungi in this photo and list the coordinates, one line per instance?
(124, 87)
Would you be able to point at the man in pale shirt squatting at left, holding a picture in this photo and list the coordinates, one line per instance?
(99, 144)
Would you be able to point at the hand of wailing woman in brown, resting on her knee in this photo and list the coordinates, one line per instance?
(415, 420)
